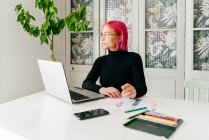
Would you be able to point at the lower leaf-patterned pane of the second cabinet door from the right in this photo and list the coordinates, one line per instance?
(161, 49)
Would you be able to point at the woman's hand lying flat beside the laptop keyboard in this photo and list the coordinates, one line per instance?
(110, 92)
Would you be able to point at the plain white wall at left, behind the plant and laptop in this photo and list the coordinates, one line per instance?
(19, 74)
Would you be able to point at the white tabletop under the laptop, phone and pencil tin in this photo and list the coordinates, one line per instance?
(43, 117)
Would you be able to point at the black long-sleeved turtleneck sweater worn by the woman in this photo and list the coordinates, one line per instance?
(116, 69)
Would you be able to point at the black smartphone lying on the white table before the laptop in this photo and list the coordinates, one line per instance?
(91, 114)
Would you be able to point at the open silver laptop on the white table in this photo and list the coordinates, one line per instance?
(55, 83)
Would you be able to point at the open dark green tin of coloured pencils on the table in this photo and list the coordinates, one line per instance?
(154, 122)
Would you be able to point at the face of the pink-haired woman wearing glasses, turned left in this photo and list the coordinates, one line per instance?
(108, 38)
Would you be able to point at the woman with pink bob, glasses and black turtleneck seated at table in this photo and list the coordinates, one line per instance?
(121, 72)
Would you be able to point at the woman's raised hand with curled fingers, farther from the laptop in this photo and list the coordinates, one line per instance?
(128, 90)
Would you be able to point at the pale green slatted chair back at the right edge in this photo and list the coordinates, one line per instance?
(193, 87)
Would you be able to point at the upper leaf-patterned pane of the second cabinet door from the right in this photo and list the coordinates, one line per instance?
(160, 14)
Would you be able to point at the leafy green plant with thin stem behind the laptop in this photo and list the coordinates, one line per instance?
(75, 21)
